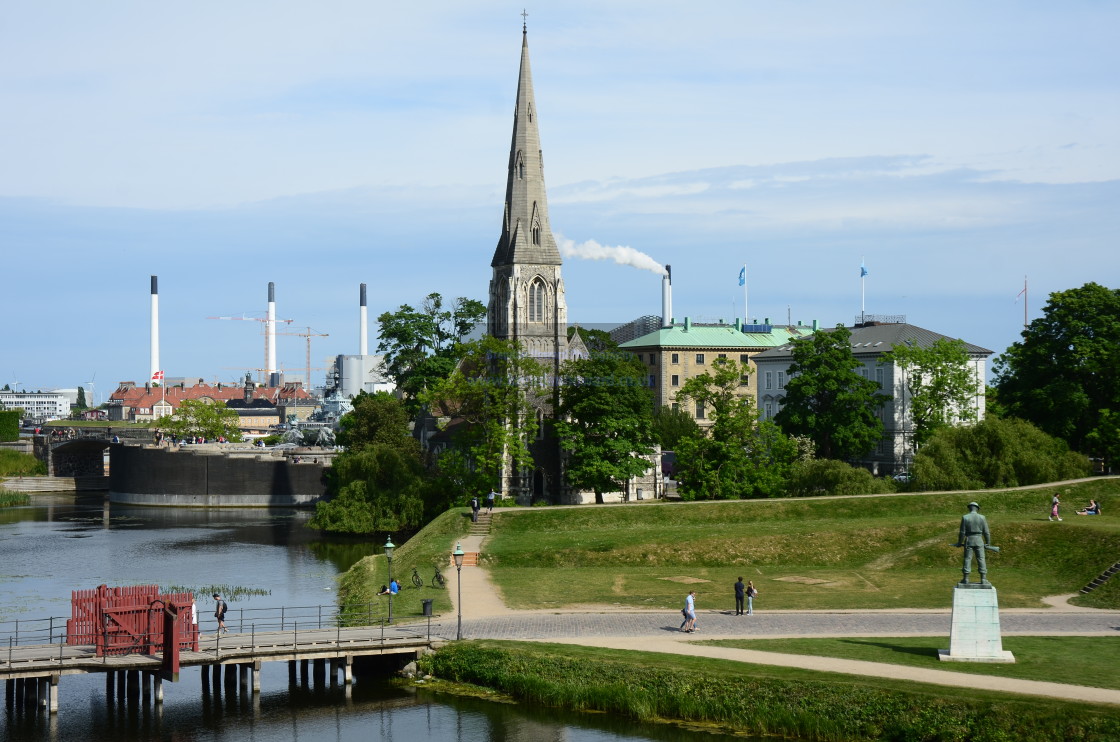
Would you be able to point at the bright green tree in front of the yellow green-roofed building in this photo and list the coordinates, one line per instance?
(738, 456)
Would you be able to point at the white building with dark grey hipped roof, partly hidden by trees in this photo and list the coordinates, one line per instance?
(870, 342)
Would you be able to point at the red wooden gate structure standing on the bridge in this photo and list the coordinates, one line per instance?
(132, 622)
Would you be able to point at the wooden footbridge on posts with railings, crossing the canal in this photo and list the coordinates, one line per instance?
(303, 637)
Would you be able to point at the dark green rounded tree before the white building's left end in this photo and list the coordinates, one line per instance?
(827, 401)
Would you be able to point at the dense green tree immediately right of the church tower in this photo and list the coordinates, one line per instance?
(605, 421)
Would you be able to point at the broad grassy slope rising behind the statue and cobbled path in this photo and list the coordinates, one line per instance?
(830, 553)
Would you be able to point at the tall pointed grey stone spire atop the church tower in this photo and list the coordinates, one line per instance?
(527, 237)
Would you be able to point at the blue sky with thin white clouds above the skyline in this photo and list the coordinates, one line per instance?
(955, 147)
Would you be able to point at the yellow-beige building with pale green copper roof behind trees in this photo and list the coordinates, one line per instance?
(675, 355)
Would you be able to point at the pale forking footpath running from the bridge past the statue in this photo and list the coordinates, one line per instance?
(486, 616)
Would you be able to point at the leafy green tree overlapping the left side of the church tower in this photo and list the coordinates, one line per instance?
(490, 406)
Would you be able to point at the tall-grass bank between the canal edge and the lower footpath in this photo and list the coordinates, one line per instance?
(762, 700)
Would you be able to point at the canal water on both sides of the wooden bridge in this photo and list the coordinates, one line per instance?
(64, 544)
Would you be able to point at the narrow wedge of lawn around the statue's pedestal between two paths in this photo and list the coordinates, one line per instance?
(1077, 661)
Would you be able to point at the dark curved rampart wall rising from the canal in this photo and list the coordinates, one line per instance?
(184, 478)
